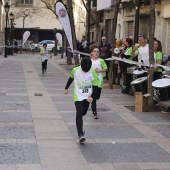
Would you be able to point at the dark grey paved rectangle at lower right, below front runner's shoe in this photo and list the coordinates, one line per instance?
(124, 153)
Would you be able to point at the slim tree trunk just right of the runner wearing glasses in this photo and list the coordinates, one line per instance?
(116, 10)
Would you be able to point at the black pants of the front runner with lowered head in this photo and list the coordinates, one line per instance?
(81, 110)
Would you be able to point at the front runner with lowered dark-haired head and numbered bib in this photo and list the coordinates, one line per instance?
(86, 84)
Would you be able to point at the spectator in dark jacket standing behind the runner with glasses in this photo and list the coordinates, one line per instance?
(106, 53)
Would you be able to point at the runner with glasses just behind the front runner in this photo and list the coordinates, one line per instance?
(100, 67)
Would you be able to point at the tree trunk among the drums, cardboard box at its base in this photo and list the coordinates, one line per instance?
(151, 53)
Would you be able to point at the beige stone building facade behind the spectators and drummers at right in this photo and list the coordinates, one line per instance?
(126, 20)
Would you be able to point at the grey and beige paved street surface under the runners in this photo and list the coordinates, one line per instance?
(38, 132)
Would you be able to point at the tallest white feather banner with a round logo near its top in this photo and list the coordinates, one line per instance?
(65, 21)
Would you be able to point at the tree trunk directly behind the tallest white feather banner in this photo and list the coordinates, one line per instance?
(69, 2)
